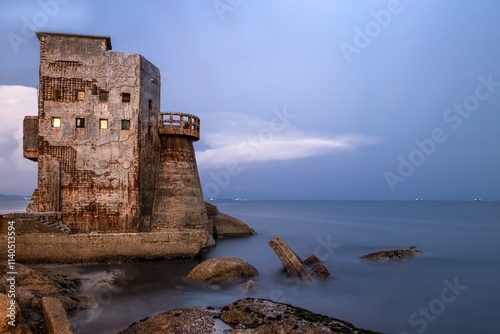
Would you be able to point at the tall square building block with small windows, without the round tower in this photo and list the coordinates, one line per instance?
(103, 170)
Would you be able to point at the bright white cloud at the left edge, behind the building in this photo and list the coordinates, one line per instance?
(17, 175)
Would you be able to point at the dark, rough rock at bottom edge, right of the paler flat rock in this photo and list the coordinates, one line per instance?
(261, 316)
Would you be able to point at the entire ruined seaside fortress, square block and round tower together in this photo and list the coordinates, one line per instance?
(108, 159)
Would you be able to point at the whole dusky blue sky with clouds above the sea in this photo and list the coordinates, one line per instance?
(298, 99)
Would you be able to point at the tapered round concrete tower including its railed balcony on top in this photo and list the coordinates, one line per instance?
(178, 196)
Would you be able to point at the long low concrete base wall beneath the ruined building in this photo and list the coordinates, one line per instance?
(110, 247)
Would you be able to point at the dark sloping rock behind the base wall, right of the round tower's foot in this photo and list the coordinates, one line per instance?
(225, 226)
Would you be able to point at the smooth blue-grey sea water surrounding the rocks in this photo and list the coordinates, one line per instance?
(452, 287)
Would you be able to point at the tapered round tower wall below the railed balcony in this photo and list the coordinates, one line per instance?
(178, 200)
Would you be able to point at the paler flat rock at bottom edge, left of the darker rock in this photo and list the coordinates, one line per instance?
(192, 320)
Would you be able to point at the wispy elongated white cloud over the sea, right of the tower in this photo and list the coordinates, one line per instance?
(239, 138)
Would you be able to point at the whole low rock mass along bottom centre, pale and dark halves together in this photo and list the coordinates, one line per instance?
(248, 316)
